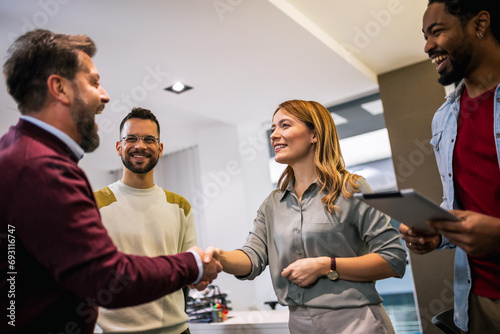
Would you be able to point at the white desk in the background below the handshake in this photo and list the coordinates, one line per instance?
(247, 322)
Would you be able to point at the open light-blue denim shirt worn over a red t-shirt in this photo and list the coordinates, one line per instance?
(444, 133)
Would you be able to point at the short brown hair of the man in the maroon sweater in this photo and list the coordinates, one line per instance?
(36, 55)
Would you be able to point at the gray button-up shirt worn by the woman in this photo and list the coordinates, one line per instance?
(285, 231)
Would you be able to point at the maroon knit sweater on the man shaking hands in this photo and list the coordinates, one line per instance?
(62, 262)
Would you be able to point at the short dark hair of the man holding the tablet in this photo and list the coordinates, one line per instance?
(464, 10)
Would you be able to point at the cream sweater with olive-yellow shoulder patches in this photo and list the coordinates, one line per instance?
(148, 222)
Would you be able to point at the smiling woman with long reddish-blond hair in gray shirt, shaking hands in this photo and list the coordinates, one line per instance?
(325, 249)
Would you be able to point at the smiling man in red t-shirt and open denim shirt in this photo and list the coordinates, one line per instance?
(463, 40)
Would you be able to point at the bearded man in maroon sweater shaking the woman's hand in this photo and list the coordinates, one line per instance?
(57, 262)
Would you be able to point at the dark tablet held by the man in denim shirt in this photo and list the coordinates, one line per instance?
(408, 207)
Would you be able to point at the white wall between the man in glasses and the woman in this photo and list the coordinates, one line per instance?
(235, 180)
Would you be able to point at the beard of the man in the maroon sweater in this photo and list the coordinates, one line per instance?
(85, 125)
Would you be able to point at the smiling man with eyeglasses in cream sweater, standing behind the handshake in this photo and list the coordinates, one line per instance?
(144, 219)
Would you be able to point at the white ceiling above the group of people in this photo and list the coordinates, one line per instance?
(243, 57)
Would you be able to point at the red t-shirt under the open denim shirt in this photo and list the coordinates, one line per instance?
(477, 181)
